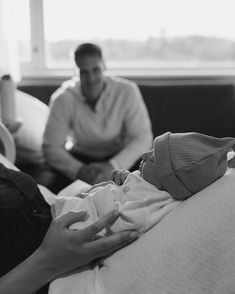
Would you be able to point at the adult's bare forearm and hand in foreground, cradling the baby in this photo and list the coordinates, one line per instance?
(63, 250)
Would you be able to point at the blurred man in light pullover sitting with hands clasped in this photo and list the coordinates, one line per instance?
(97, 123)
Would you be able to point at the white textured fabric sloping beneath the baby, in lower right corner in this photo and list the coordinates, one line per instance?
(192, 250)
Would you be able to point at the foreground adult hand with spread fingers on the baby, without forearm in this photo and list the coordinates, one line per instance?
(66, 249)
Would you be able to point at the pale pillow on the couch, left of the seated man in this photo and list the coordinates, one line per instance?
(29, 137)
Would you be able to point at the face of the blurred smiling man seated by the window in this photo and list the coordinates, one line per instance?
(91, 69)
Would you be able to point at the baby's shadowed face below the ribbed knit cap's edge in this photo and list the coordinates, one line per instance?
(148, 169)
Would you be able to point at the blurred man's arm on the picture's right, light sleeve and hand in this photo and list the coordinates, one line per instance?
(137, 135)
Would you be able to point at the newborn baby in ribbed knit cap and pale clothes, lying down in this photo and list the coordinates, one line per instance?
(178, 166)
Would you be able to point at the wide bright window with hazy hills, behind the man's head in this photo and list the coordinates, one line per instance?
(144, 35)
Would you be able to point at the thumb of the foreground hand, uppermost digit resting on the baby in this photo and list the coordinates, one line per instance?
(71, 217)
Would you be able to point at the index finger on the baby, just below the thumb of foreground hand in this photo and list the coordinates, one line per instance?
(105, 221)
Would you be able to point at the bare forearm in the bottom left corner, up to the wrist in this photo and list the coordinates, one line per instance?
(29, 276)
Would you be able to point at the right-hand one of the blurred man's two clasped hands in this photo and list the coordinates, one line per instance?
(103, 170)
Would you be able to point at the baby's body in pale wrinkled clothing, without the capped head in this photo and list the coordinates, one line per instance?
(141, 204)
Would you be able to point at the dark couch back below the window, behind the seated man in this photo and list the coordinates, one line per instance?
(208, 109)
